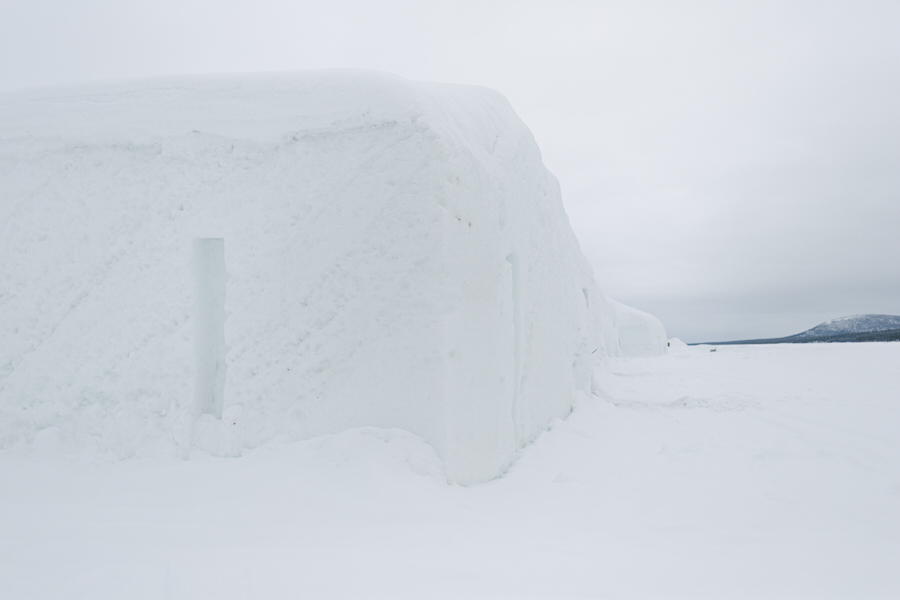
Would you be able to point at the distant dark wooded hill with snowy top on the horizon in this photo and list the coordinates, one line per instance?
(858, 328)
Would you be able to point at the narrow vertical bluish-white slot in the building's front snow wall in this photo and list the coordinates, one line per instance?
(208, 261)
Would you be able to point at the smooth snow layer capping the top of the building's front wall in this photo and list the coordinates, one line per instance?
(257, 106)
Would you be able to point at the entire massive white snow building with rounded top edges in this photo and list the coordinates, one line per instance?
(395, 253)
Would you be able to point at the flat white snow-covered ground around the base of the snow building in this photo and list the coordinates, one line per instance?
(748, 472)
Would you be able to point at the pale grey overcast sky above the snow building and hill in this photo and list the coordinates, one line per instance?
(732, 168)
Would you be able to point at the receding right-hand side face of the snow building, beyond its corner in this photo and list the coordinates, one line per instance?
(523, 335)
